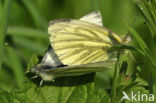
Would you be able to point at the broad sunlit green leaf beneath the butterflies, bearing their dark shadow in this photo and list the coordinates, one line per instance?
(76, 89)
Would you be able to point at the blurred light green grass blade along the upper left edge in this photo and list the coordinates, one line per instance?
(3, 27)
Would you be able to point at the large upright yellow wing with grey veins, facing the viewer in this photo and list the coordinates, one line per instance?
(79, 42)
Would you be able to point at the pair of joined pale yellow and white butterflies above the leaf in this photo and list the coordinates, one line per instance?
(77, 47)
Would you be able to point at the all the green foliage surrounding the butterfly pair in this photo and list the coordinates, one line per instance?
(23, 27)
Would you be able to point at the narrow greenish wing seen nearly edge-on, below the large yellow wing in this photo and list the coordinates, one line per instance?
(81, 69)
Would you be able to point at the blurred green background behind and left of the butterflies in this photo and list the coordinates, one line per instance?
(27, 31)
